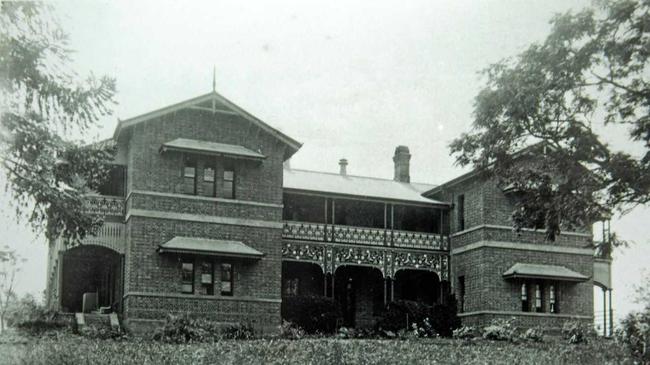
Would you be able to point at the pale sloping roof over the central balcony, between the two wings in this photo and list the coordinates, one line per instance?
(357, 186)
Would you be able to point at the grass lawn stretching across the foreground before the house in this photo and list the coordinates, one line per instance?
(73, 349)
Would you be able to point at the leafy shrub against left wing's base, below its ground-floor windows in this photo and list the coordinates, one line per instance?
(184, 329)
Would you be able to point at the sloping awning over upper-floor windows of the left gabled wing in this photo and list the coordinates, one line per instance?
(210, 148)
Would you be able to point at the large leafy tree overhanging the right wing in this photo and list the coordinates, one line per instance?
(590, 72)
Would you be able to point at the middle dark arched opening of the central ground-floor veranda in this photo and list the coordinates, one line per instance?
(360, 293)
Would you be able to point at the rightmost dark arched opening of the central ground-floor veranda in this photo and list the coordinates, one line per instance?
(417, 285)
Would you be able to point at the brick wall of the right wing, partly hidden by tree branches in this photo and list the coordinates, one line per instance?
(487, 294)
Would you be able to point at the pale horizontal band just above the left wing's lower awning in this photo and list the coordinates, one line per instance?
(202, 218)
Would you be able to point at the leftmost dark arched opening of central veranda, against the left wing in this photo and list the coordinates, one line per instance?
(302, 278)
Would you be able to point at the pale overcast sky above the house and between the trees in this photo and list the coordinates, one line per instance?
(347, 79)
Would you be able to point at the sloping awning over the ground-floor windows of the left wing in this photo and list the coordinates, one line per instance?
(212, 247)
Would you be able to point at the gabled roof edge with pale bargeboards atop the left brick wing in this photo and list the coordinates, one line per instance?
(210, 101)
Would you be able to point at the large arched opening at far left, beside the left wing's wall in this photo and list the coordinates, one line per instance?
(92, 270)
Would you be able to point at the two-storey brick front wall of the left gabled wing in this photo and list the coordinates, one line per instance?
(153, 282)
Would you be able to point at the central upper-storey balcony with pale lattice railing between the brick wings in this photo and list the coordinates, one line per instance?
(364, 222)
